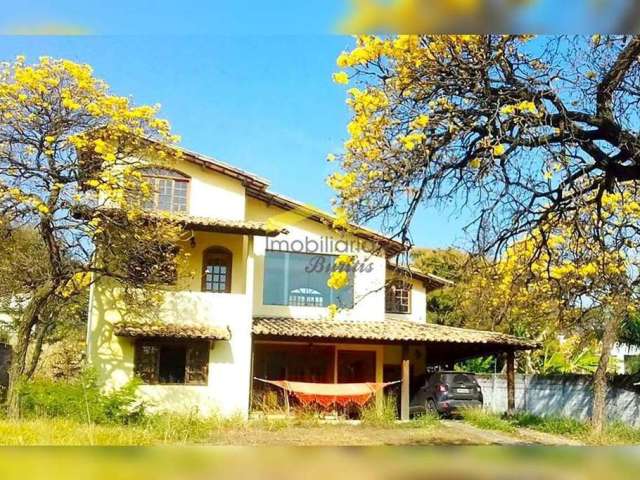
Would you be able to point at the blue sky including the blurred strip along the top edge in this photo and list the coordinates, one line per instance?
(244, 81)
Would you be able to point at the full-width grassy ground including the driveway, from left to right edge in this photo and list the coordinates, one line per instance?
(477, 428)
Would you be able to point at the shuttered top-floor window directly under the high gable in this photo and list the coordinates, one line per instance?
(169, 190)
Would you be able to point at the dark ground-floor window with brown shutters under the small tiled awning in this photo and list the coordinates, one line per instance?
(172, 362)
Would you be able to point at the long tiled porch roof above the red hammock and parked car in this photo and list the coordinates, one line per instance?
(389, 330)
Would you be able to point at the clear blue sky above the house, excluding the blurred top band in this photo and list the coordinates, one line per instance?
(265, 103)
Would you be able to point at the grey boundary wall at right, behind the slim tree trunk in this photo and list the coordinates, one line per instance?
(566, 395)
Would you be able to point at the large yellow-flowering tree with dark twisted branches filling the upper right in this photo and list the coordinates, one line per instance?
(536, 137)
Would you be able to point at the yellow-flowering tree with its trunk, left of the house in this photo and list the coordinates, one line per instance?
(70, 152)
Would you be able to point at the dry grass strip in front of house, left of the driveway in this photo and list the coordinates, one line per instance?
(176, 430)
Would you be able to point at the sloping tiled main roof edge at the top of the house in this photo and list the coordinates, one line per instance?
(257, 187)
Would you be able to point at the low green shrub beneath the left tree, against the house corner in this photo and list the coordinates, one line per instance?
(80, 399)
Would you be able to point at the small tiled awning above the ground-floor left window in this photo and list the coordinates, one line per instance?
(172, 330)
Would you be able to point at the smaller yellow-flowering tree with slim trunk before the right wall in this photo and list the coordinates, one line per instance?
(573, 284)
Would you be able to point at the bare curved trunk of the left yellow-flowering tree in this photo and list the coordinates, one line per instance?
(18, 368)
